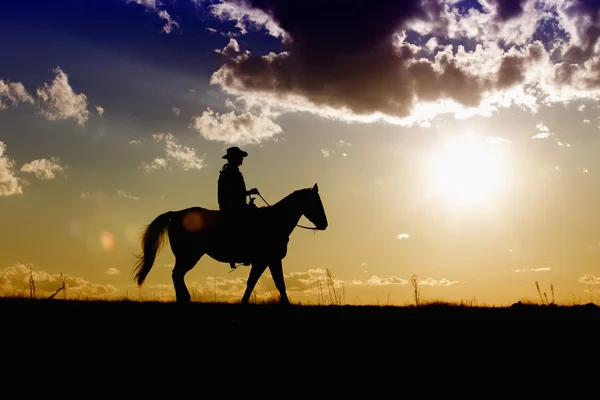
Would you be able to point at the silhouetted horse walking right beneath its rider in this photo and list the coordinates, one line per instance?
(196, 231)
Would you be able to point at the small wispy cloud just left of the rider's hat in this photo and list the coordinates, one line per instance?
(182, 156)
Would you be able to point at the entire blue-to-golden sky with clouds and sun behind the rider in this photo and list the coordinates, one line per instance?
(454, 141)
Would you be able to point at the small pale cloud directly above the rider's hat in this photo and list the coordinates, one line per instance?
(232, 128)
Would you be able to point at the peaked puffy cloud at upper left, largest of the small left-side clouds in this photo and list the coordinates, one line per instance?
(58, 100)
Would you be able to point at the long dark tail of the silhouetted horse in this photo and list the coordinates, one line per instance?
(152, 241)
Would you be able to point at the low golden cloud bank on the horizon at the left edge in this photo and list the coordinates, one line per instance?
(14, 279)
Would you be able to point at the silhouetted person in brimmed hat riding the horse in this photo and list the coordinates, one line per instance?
(232, 194)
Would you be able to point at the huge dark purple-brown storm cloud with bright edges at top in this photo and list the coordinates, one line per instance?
(350, 57)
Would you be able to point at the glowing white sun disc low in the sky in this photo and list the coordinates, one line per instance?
(466, 170)
